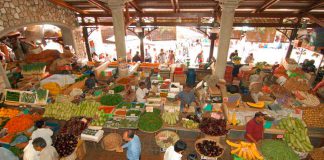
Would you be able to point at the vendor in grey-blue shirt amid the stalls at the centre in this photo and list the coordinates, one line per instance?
(187, 96)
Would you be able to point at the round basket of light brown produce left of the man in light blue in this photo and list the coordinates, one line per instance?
(111, 141)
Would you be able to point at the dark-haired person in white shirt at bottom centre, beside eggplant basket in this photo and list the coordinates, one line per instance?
(175, 152)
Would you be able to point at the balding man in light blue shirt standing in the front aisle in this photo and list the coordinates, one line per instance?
(133, 145)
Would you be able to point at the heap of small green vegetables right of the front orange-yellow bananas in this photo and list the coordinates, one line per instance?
(277, 150)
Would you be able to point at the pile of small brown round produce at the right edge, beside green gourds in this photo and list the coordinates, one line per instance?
(313, 117)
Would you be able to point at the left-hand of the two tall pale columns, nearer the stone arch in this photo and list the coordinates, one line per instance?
(117, 7)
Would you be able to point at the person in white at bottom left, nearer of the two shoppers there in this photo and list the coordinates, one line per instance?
(38, 150)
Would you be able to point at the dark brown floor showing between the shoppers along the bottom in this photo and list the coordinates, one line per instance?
(150, 151)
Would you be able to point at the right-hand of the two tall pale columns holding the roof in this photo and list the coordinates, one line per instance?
(227, 18)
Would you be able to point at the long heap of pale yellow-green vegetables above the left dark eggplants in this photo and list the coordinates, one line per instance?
(66, 110)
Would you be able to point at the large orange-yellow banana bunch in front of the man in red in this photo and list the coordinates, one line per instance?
(247, 151)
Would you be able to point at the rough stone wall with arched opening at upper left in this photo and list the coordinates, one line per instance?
(15, 14)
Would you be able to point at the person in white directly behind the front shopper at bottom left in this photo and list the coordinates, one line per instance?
(43, 132)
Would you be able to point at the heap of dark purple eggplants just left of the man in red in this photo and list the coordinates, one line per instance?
(213, 127)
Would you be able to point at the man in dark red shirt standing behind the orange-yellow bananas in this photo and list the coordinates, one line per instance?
(254, 128)
